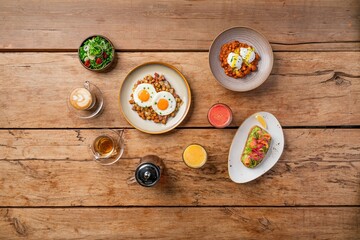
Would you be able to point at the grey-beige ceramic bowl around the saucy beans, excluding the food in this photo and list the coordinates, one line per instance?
(262, 47)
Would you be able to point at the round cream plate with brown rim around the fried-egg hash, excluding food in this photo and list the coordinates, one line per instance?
(176, 80)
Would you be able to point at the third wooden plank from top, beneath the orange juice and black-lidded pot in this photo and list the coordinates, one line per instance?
(53, 168)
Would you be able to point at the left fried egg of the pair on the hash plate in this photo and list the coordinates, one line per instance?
(144, 94)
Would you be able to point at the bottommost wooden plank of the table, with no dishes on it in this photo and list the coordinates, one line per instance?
(174, 223)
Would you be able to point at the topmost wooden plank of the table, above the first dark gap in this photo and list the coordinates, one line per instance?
(178, 25)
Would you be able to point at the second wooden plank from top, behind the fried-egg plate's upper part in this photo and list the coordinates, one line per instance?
(304, 89)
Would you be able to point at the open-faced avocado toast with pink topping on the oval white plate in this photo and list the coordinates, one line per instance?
(256, 147)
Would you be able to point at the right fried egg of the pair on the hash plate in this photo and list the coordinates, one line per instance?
(164, 103)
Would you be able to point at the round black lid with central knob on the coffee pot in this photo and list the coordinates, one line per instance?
(147, 174)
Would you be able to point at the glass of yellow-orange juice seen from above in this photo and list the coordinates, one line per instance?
(194, 156)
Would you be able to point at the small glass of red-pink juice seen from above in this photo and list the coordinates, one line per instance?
(220, 115)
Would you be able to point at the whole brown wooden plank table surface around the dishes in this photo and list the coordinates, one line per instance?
(51, 189)
